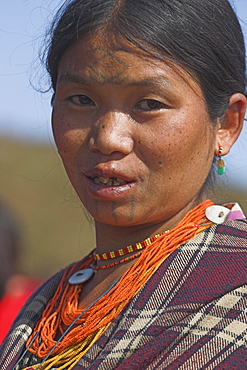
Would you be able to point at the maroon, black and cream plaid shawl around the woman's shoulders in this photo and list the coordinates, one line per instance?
(191, 314)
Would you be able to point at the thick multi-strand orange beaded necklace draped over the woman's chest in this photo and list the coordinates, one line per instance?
(91, 323)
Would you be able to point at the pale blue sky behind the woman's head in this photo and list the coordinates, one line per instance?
(24, 112)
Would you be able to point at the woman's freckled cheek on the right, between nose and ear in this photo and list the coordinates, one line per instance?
(179, 148)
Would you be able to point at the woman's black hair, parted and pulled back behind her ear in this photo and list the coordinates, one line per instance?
(204, 37)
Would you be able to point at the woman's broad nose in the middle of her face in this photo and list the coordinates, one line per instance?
(111, 133)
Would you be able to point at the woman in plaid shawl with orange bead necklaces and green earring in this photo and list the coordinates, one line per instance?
(146, 95)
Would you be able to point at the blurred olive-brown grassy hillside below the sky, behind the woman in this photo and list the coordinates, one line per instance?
(53, 225)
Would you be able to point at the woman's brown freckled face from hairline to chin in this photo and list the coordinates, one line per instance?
(132, 131)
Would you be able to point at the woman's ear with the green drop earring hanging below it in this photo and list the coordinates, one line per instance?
(231, 125)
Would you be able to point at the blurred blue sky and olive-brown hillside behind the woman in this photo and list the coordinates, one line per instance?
(53, 228)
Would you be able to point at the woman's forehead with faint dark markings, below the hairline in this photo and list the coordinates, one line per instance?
(116, 61)
